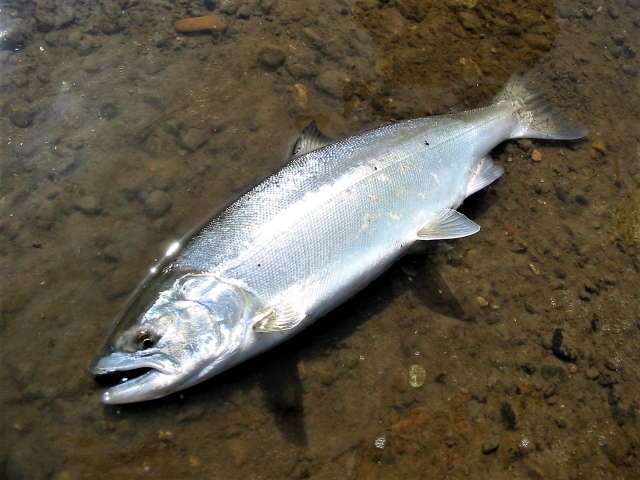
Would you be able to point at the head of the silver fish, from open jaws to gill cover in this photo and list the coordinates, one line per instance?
(179, 329)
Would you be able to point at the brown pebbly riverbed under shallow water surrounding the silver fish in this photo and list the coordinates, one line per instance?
(118, 135)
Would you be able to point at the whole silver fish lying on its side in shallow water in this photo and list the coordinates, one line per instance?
(308, 237)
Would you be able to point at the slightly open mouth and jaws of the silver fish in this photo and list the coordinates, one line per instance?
(140, 375)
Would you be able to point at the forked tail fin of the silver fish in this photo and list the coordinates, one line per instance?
(537, 117)
